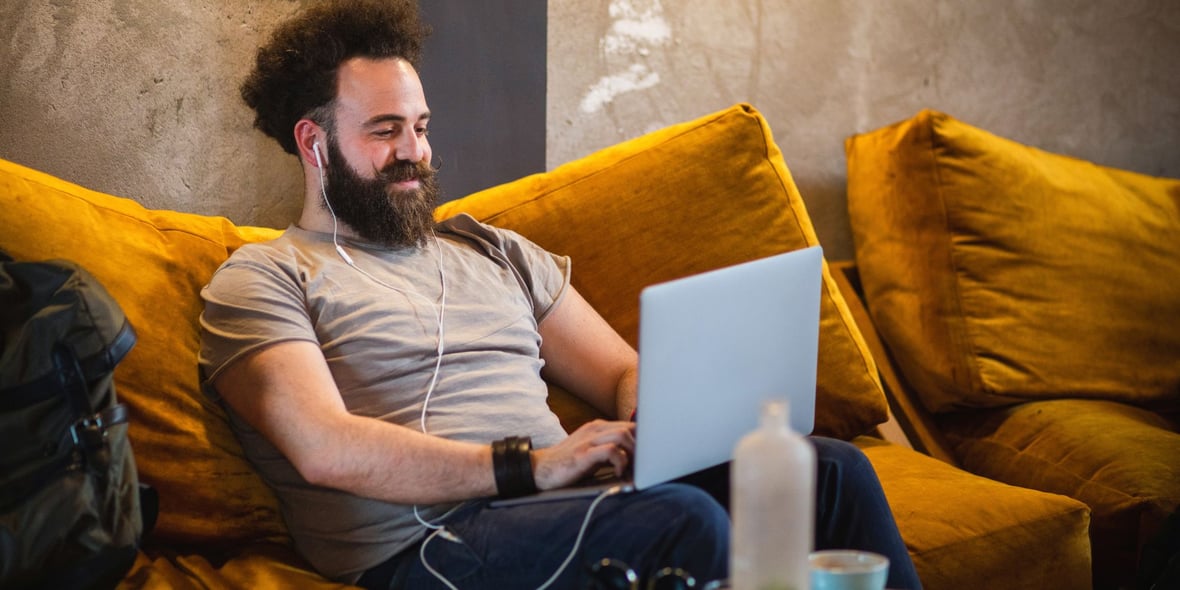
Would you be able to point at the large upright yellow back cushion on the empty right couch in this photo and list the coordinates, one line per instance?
(1001, 273)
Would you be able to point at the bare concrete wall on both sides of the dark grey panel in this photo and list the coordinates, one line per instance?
(140, 99)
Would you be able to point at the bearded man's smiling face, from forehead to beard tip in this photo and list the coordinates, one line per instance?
(379, 181)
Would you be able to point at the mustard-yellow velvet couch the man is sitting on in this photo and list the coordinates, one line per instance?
(692, 198)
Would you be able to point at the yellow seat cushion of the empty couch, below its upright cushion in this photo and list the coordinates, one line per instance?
(1122, 461)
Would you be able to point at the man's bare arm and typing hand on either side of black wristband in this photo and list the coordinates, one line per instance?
(287, 394)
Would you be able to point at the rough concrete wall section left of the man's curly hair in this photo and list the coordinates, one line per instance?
(140, 99)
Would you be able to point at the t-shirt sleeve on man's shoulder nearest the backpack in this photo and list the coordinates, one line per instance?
(250, 305)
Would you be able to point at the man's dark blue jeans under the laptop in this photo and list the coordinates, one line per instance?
(680, 525)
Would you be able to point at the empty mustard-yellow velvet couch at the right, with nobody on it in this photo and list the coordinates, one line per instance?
(1028, 307)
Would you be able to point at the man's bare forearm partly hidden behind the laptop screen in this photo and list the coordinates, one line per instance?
(586, 357)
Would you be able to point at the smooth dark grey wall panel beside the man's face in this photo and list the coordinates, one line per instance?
(484, 75)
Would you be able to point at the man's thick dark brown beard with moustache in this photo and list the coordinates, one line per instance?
(378, 212)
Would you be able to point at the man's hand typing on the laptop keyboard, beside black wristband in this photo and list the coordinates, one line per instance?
(595, 444)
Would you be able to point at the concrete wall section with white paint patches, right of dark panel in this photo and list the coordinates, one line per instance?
(1094, 80)
